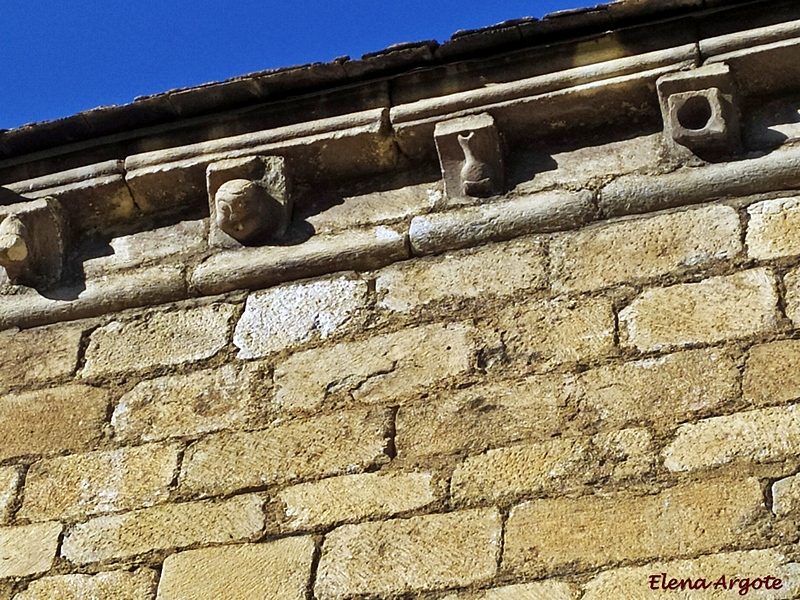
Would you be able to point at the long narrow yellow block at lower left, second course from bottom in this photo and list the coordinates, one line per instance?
(163, 527)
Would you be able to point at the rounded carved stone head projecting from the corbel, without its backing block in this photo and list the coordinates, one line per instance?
(243, 209)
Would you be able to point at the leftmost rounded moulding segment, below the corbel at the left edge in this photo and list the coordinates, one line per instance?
(145, 287)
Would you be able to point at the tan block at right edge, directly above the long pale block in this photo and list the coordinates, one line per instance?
(772, 373)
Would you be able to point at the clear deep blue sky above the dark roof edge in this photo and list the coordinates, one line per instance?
(59, 57)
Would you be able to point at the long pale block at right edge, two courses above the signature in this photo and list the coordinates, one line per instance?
(763, 435)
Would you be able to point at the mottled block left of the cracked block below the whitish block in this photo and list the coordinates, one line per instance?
(234, 395)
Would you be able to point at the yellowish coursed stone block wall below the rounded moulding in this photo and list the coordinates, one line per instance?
(539, 418)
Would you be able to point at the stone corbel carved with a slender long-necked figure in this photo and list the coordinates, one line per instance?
(471, 157)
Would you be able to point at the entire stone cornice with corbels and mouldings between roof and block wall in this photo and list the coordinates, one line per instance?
(137, 225)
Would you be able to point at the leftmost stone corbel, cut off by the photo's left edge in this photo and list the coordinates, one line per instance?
(33, 242)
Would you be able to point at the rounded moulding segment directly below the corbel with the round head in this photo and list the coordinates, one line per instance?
(254, 268)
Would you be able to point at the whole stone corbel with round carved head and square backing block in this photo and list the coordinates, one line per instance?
(250, 201)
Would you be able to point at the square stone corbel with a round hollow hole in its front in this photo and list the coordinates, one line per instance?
(701, 113)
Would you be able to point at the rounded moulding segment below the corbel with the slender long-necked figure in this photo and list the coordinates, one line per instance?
(538, 213)
